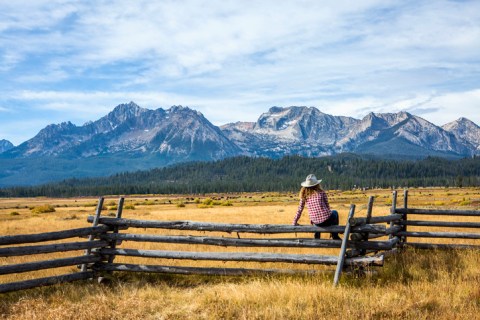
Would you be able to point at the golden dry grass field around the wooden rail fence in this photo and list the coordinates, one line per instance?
(413, 284)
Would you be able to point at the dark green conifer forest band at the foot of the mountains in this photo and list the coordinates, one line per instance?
(247, 174)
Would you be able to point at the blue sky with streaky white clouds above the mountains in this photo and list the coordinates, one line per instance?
(64, 60)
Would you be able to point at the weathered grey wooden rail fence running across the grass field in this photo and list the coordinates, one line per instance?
(365, 240)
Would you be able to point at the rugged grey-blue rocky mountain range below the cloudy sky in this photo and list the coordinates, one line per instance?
(134, 138)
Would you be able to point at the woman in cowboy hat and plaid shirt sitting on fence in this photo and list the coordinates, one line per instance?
(316, 200)
